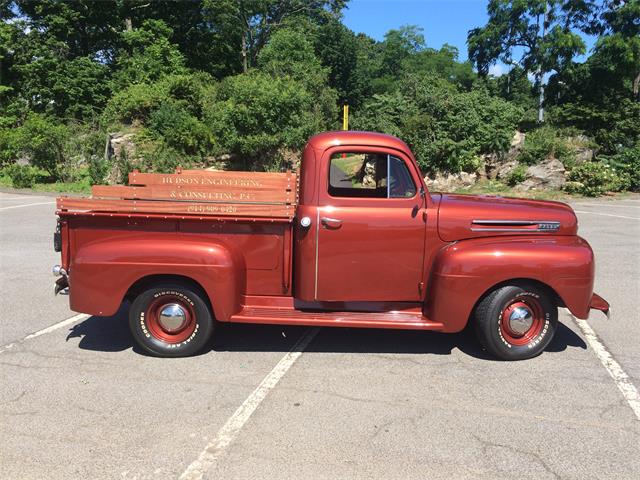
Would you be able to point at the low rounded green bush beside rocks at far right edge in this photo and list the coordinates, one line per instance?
(594, 178)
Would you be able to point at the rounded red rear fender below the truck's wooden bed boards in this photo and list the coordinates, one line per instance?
(103, 271)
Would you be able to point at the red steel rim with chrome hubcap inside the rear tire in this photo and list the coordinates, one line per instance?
(170, 319)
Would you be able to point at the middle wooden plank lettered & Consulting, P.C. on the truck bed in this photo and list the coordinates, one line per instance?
(231, 194)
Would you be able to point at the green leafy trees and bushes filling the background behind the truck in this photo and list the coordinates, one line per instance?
(194, 80)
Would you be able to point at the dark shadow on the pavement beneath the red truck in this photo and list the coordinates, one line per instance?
(111, 334)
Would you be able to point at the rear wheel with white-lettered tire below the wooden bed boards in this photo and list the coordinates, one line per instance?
(171, 320)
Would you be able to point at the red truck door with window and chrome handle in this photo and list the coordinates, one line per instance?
(370, 228)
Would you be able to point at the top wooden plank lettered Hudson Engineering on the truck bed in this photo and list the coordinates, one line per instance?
(252, 180)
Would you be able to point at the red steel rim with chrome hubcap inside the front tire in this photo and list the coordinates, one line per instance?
(521, 321)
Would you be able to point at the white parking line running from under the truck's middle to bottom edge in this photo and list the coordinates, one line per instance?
(230, 430)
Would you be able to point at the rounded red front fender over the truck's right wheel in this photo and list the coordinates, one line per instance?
(463, 272)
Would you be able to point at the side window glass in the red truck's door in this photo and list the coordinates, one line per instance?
(369, 175)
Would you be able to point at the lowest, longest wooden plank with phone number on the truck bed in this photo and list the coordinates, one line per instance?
(169, 207)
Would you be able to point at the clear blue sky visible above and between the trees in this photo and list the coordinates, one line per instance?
(442, 21)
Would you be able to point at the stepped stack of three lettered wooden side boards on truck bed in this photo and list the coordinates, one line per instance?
(198, 193)
